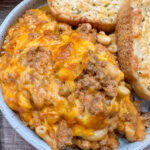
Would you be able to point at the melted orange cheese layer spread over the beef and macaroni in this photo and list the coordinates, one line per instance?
(25, 86)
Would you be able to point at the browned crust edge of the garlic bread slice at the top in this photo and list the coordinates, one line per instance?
(76, 20)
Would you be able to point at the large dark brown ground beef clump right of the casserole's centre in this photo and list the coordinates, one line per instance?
(95, 88)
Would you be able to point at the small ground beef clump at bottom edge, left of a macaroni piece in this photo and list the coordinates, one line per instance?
(64, 135)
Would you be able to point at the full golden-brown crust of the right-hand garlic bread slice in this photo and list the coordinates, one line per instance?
(129, 21)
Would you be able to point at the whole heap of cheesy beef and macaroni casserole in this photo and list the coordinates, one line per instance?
(66, 86)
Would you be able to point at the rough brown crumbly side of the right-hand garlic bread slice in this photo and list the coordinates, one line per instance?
(126, 57)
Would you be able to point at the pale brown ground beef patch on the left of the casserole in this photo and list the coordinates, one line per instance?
(39, 76)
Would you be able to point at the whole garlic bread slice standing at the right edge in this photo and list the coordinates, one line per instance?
(133, 32)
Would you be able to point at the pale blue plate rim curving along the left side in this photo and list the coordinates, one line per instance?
(26, 133)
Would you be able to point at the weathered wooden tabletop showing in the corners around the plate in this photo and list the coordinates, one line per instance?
(9, 139)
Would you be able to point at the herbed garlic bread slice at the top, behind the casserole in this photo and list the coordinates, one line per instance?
(101, 14)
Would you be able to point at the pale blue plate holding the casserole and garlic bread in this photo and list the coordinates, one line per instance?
(13, 119)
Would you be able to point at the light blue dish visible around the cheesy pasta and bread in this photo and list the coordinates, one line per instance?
(11, 117)
